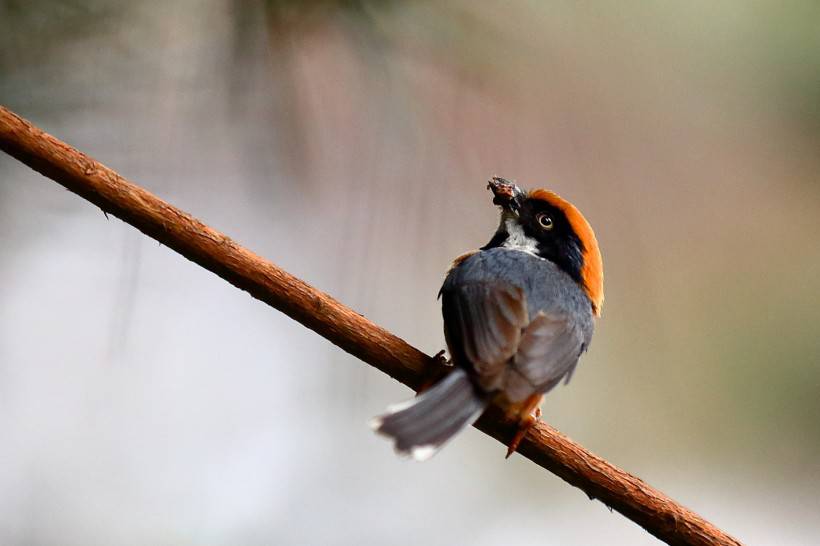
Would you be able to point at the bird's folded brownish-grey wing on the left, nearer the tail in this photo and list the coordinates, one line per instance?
(483, 324)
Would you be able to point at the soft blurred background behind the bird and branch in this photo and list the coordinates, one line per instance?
(145, 401)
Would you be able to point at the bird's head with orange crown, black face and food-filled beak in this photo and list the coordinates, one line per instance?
(544, 224)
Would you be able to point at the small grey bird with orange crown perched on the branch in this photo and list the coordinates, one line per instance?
(518, 313)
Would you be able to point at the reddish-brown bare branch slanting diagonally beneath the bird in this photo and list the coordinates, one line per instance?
(545, 446)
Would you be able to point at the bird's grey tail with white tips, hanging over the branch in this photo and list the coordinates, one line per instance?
(422, 425)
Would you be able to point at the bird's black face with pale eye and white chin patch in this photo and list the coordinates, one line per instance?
(542, 229)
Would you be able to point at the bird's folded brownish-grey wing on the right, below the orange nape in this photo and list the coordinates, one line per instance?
(547, 352)
